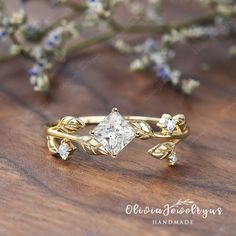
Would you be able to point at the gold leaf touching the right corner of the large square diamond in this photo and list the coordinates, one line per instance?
(143, 129)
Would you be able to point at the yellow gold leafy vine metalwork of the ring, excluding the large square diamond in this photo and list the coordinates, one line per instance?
(63, 131)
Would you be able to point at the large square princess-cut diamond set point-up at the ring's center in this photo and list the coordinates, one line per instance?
(114, 133)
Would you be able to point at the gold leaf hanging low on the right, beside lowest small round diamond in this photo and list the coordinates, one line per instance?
(162, 150)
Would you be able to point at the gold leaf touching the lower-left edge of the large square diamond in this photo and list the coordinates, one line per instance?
(92, 146)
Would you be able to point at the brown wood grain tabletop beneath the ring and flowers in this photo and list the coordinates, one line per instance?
(41, 195)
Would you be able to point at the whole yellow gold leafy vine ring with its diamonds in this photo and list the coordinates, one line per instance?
(114, 132)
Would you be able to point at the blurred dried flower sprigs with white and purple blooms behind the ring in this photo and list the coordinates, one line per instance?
(48, 43)
